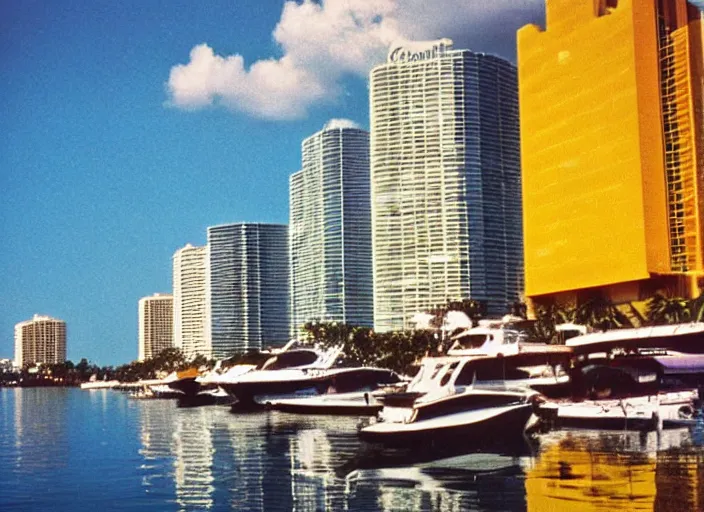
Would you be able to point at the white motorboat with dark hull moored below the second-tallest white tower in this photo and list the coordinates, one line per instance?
(298, 372)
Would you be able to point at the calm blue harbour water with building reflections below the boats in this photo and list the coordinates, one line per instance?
(67, 449)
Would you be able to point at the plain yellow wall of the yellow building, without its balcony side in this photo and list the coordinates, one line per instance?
(593, 182)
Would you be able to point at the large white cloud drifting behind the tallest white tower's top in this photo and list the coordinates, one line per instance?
(323, 42)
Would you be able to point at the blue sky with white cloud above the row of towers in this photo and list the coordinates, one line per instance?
(129, 127)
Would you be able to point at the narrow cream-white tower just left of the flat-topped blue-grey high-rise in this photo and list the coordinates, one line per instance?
(189, 276)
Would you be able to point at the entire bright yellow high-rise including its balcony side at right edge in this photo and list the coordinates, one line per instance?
(612, 140)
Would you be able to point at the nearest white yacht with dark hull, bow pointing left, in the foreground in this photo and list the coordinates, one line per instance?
(448, 406)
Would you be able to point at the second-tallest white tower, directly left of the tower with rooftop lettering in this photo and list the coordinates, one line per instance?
(330, 229)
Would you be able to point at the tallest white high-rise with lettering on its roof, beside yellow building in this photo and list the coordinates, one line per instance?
(446, 185)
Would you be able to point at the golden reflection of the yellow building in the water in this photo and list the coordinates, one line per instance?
(626, 471)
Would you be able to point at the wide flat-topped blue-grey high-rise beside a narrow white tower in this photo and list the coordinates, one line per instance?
(247, 285)
